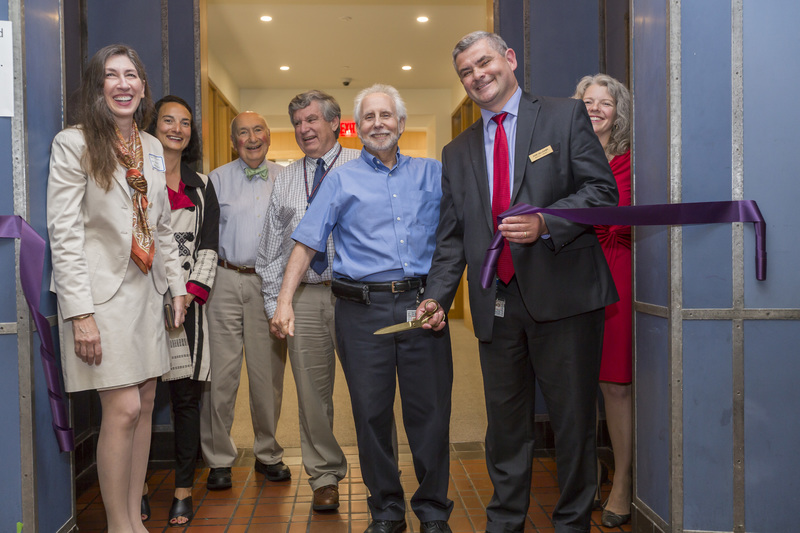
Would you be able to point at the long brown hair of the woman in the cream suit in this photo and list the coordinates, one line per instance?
(96, 119)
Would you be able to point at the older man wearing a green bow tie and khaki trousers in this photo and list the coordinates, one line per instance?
(237, 324)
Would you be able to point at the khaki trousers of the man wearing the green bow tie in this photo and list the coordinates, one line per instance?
(238, 328)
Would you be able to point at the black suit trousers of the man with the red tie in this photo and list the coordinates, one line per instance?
(563, 356)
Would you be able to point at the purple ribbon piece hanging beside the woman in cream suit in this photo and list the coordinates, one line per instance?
(31, 265)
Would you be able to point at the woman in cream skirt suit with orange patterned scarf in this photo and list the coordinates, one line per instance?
(114, 257)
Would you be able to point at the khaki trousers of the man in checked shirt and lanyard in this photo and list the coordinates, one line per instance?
(313, 359)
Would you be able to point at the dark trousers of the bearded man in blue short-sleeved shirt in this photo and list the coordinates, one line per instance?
(421, 362)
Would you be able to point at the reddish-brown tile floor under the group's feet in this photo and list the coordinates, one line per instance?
(257, 505)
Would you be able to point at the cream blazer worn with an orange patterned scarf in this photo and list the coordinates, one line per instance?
(90, 228)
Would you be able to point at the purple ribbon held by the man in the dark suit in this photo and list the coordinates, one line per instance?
(644, 215)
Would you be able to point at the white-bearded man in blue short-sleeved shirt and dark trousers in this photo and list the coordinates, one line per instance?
(383, 209)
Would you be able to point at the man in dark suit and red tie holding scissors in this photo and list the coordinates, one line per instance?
(543, 317)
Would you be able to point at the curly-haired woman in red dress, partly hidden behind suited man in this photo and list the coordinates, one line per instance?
(609, 105)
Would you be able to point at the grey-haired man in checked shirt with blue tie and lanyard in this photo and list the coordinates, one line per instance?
(315, 116)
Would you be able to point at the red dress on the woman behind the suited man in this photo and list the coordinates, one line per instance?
(617, 363)
